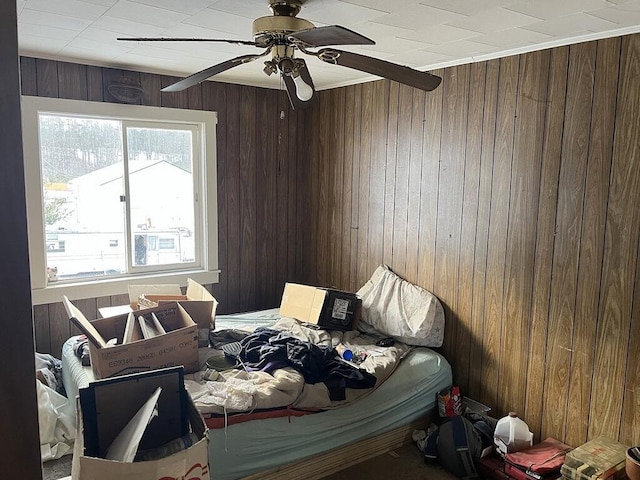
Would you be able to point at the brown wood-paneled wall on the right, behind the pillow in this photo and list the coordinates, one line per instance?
(512, 193)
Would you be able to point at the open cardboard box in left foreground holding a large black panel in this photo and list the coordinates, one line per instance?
(191, 462)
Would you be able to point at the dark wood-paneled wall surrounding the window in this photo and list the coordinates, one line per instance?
(259, 142)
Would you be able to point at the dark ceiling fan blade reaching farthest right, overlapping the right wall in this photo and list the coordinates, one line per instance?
(392, 71)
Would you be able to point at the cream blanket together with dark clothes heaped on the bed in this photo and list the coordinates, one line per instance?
(310, 376)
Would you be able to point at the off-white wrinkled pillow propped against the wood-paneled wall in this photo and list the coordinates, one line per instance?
(397, 308)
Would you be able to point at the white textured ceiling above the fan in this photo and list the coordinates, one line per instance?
(423, 34)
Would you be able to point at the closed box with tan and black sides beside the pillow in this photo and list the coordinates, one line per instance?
(330, 309)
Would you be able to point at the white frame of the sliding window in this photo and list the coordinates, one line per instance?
(43, 292)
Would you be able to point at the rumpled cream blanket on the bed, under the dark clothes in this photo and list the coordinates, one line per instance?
(246, 390)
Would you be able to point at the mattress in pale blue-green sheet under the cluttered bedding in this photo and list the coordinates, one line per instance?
(247, 448)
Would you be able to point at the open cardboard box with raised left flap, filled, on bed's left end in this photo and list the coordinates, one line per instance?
(179, 346)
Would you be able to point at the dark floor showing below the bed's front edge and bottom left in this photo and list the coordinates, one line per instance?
(406, 463)
